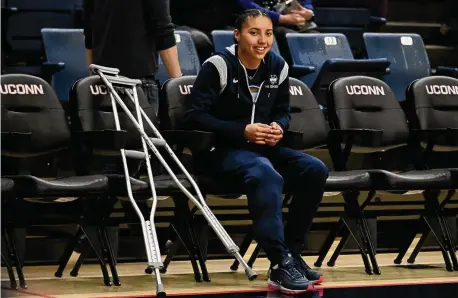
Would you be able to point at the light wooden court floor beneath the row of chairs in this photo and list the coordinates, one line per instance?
(427, 278)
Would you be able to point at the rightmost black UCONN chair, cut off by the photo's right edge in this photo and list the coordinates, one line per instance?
(431, 108)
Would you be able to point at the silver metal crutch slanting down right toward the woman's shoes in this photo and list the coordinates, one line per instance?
(159, 141)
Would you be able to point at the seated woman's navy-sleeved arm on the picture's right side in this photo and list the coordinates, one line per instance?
(281, 110)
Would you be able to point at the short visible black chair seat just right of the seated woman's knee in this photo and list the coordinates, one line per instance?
(341, 181)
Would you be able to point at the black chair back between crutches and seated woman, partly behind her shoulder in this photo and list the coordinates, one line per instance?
(172, 105)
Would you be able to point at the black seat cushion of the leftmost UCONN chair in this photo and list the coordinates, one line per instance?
(31, 186)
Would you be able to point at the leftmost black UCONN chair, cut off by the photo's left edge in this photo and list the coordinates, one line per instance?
(35, 125)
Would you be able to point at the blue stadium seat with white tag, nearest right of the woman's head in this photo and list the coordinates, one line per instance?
(315, 49)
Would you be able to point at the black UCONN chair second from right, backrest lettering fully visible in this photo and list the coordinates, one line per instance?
(362, 103)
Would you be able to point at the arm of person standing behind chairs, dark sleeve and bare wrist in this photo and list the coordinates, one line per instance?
(157, 16)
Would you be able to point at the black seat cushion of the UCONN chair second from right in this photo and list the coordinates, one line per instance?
(411, 180)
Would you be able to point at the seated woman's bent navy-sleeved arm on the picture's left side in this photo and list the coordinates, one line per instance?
(204, 93)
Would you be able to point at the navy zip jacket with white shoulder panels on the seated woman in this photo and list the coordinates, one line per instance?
(221, 102)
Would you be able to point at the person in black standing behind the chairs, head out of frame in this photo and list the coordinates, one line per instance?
(129, 35)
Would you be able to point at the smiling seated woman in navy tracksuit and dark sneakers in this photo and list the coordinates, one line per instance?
(242, 95)
